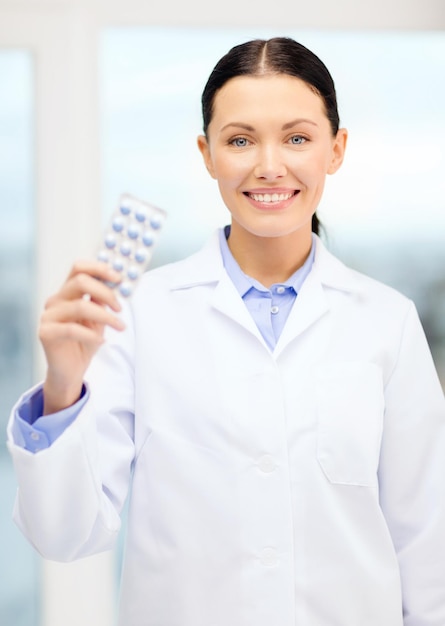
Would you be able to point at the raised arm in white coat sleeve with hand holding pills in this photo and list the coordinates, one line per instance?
(71, 493)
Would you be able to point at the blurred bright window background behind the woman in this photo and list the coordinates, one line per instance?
(99, 98)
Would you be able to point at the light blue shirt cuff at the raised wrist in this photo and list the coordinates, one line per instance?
(34, 431)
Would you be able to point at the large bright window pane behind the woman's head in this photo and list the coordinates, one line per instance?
(368, 200)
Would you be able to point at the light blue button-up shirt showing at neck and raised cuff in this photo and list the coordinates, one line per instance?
(269, 308)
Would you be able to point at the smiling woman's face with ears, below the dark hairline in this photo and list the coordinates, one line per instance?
(270, 145)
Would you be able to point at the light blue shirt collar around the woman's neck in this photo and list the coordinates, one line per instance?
(244, 283)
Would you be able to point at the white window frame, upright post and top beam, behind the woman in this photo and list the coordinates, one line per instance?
(64, 37)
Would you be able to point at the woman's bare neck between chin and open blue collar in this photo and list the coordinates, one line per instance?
(269, 260)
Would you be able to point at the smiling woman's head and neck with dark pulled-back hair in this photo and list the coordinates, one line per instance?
(271, 177)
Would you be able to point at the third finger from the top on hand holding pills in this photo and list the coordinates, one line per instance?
(81, 311)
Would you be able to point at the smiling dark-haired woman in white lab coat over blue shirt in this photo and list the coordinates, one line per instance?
(279, 413)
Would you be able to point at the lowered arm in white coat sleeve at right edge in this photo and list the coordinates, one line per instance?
(412, 477)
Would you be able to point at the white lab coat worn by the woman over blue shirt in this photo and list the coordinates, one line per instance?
(303, 487)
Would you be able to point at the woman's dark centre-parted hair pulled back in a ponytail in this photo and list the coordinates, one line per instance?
(280, 55)
